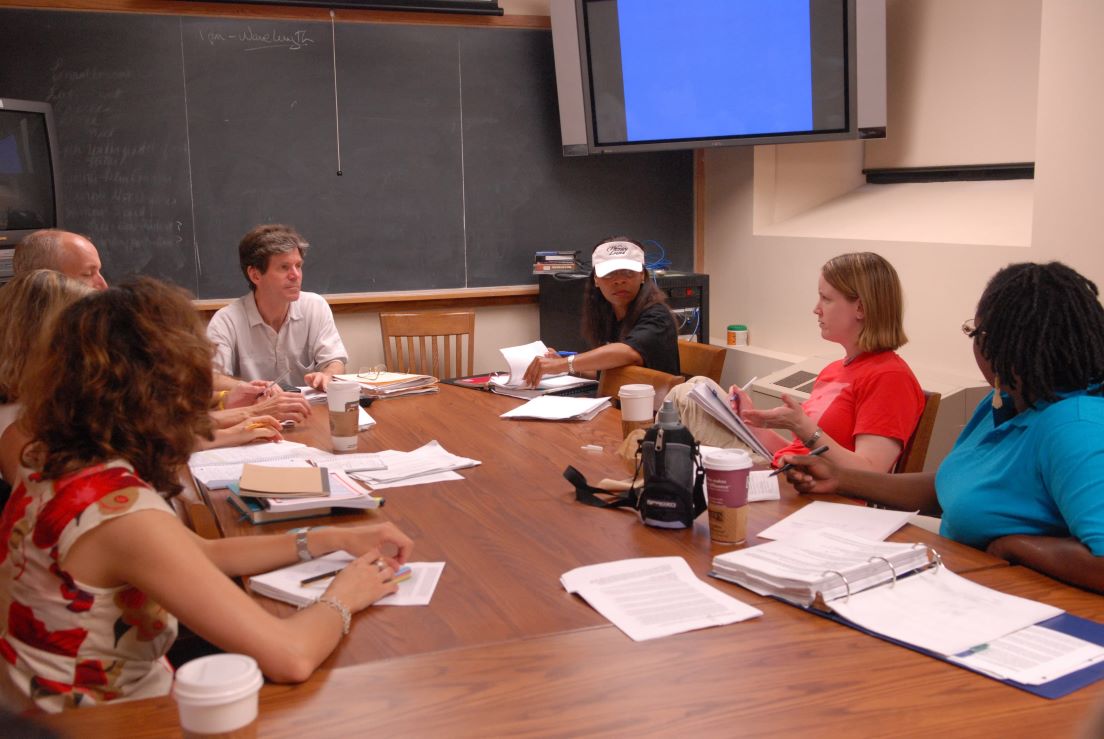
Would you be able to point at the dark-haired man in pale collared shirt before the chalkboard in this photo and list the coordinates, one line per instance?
(278, 332)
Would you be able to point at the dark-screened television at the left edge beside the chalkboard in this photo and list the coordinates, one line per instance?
(29, 188)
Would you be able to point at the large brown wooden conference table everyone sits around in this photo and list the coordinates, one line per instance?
(504, 650)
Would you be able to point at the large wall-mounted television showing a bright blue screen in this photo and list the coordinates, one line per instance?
(654, 75)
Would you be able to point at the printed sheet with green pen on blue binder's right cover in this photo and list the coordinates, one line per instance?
(1033, 657)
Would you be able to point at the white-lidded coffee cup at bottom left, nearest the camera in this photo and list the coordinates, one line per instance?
(218, 695)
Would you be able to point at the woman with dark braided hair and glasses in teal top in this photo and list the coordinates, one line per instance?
(1026, 478)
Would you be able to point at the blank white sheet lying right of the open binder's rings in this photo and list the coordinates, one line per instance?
(940, 611)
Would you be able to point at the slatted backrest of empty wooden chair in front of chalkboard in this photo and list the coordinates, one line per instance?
(423, 343)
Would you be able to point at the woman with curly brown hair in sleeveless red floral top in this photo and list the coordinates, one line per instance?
(98, 567)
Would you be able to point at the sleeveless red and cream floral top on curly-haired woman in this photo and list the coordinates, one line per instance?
(65, 645)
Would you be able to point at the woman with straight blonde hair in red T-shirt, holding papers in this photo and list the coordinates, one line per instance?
(864, 407)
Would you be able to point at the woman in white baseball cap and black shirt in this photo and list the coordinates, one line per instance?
(625, 319)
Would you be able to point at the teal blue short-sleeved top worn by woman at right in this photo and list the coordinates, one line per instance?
(1039, 472)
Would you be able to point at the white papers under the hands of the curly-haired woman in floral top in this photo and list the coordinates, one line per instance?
(285, 585)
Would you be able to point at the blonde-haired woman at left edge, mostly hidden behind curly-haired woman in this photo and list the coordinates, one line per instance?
(29, 303)
